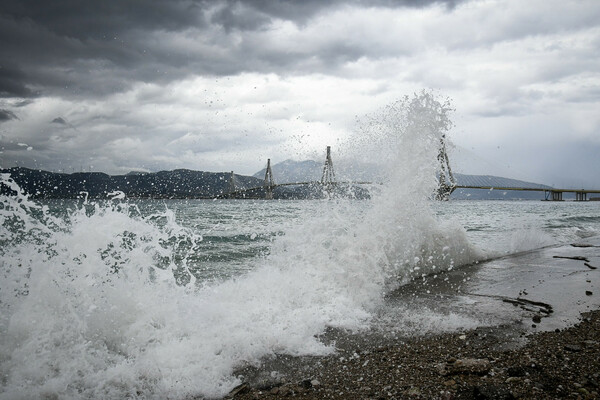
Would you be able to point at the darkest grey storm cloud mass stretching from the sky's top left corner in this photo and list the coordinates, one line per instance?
(93, 48)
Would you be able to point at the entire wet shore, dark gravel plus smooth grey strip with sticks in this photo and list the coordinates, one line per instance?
(537, 335)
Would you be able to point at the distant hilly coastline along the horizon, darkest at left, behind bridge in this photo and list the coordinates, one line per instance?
(189, 184)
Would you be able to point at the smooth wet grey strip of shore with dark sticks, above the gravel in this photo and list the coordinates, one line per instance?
(541, 289)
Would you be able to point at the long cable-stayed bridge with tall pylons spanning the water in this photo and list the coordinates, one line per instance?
(446, 183)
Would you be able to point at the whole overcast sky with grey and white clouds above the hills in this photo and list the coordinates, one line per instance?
(123, 85)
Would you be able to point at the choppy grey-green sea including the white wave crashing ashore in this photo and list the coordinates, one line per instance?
(139, 298)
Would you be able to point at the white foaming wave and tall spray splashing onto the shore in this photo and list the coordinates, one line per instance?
(91, 308)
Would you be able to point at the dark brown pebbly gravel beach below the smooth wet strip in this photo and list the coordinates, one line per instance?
(485, 363)
